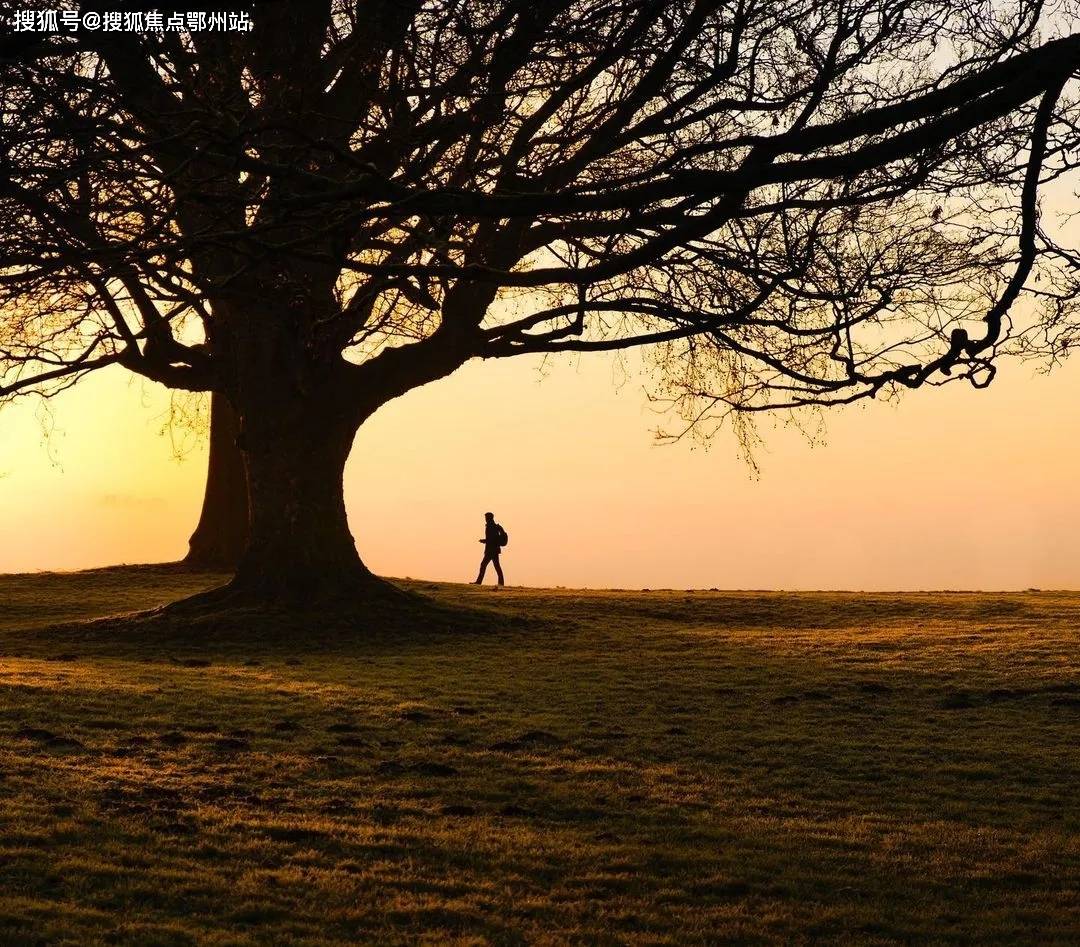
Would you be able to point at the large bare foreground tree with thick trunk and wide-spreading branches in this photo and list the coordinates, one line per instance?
(782, 204)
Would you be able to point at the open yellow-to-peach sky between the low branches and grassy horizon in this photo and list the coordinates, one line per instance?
(951, 489)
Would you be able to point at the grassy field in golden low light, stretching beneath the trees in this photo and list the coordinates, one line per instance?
(537, 766)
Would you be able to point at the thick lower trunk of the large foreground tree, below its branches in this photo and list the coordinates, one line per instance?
(301, 552)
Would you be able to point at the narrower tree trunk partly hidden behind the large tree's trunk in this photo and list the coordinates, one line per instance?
(221, 538)
